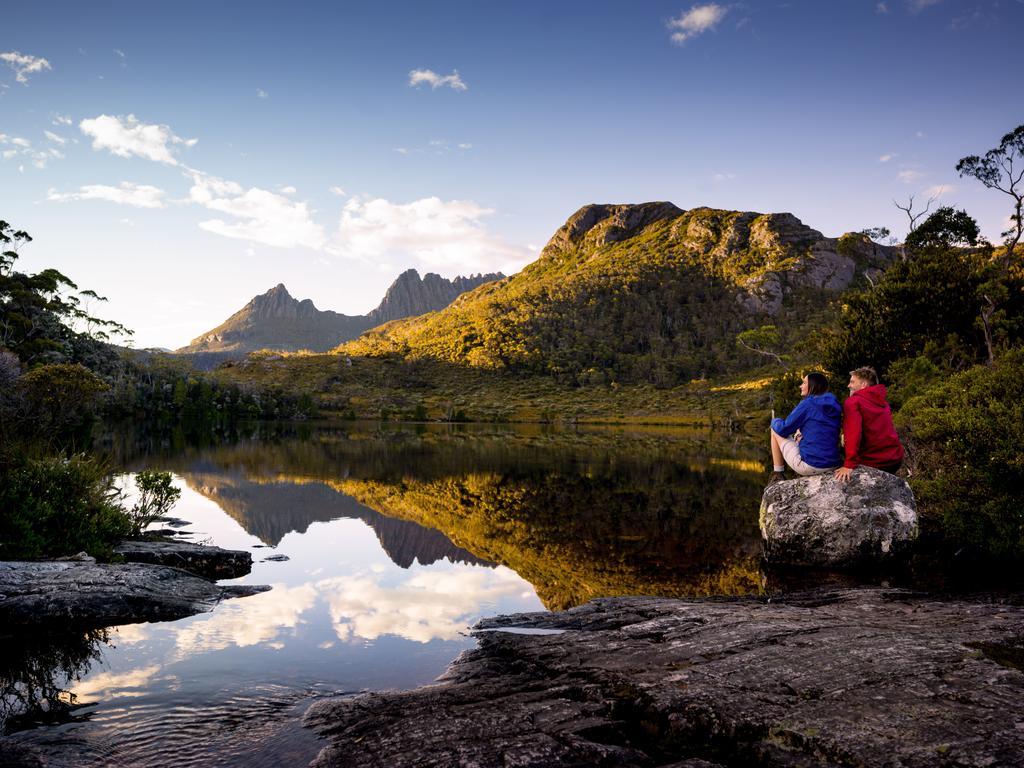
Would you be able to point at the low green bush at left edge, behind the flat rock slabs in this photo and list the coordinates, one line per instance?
(54, 506)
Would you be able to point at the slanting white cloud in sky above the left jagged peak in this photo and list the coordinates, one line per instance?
(260, 216)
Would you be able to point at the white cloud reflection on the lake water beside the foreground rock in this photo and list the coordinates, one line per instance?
(430, 606)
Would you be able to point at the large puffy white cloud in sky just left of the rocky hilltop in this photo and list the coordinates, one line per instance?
(441, 234)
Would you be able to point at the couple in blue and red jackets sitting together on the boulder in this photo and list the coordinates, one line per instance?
(808, 440)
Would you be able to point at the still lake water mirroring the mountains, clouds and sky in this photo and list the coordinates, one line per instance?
(382, 545)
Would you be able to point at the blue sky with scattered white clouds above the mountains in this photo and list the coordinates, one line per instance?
(180, 159)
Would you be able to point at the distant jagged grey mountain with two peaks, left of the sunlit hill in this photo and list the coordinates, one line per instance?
(278, 321)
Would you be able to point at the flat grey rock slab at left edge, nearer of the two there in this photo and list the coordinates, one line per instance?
(88, 594)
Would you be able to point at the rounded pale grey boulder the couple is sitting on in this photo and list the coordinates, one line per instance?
(821, 522)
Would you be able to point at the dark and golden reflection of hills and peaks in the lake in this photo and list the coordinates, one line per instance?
(577, 516)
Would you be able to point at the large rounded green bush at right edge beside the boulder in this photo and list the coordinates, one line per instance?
(968, 437)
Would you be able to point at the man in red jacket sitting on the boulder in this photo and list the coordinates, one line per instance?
(869, 434)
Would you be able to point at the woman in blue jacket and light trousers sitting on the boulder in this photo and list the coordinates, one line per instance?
(808, 439)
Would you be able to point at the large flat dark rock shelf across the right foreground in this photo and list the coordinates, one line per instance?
(861, 677)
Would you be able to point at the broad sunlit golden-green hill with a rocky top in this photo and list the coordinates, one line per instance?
(644, 292)
